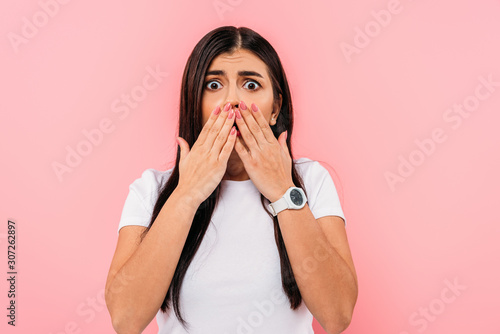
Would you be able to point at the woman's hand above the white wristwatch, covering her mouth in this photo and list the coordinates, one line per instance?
(267, 160)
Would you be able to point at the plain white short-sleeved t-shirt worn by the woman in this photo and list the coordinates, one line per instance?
(233, 285)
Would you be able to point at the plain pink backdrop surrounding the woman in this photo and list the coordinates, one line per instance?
(360, 114)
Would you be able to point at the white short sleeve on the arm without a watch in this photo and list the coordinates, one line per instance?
(139, 204)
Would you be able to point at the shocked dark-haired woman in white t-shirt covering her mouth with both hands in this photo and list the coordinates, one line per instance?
(238, 236)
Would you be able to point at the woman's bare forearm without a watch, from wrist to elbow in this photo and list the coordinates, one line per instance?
(138, 289)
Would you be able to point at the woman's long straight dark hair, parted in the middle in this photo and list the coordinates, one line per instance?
(225, 39)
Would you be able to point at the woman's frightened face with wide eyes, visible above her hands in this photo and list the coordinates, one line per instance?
(241, 76)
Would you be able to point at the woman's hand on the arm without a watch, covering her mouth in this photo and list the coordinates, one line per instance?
(202, 167)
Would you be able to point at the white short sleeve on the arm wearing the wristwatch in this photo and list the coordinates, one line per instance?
(323, 199)
